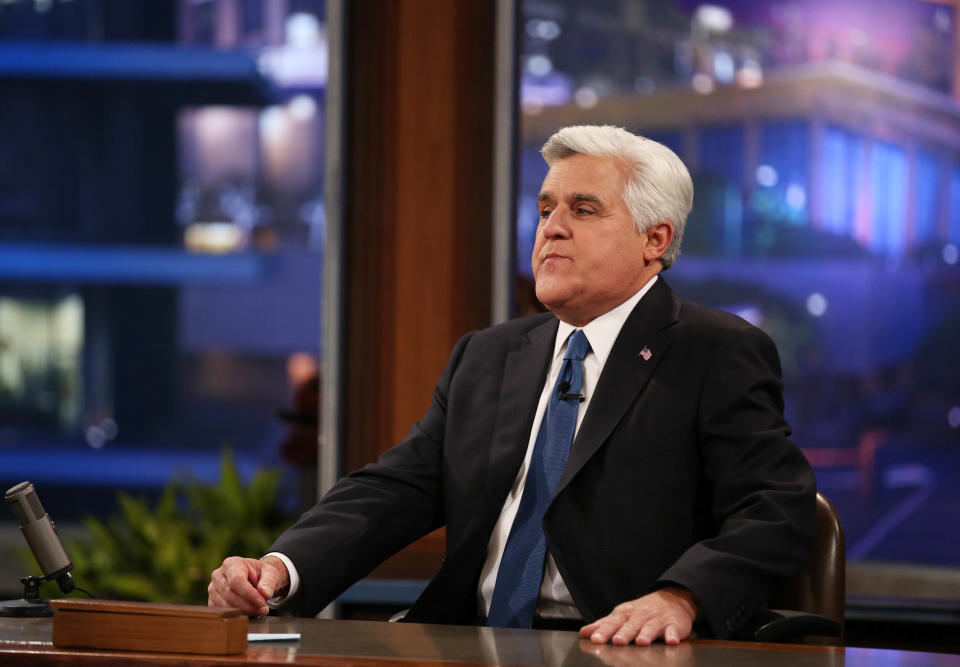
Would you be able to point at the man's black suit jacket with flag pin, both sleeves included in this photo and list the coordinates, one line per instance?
(681, 472)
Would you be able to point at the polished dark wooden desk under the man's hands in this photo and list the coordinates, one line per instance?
(378, 644)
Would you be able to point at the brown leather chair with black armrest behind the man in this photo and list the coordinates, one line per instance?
(809, 608)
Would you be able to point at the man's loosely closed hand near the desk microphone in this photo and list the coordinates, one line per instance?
(247, 584)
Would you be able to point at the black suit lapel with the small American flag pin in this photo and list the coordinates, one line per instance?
(641, 345)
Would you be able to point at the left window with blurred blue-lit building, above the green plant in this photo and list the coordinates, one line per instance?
(161, 235)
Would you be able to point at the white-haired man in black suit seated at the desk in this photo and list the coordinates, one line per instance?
(678, 501)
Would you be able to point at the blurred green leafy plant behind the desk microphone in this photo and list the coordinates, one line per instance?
(166, 553)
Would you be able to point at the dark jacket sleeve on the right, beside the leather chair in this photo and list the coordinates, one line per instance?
(760, 488)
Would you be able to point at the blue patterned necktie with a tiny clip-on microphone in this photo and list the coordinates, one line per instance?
(521, 568)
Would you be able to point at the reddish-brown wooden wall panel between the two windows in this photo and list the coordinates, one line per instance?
(419, 208)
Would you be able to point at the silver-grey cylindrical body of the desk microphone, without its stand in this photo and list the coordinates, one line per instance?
(42, 537)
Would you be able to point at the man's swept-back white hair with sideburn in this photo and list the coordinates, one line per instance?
(657, 186)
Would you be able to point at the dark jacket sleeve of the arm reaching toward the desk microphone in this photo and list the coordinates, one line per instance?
(373, 512)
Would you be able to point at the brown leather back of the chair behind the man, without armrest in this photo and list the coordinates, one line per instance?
(820, 586)
